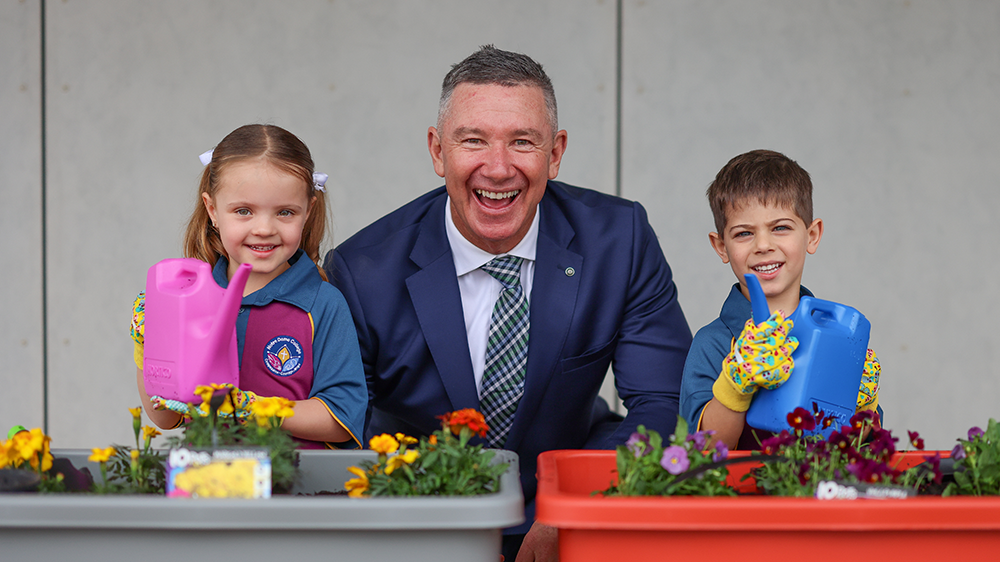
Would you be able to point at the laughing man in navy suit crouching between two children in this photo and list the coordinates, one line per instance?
(599, 290)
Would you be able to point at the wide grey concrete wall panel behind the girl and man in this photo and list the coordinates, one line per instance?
(138, 89)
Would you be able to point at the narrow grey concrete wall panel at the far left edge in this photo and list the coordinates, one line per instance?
(21, 388)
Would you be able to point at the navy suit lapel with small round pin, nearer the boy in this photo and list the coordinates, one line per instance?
(553, 296)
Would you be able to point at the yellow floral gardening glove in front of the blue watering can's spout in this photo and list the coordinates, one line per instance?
(760, 358)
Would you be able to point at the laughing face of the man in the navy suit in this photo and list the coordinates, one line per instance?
(496, 150)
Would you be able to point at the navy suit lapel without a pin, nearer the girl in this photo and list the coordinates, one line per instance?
(438, 304)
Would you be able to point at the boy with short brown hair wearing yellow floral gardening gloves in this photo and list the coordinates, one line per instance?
(762, 205)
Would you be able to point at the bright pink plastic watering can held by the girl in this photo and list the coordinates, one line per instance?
(190, 328)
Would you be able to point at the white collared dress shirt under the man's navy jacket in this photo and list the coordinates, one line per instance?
(480, 290)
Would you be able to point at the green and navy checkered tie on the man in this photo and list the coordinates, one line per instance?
(506, 350)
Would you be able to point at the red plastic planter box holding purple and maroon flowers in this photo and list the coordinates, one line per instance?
(753, 527)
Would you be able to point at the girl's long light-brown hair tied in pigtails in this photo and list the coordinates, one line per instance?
(279, 148)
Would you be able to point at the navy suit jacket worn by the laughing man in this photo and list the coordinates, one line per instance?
(602, 295)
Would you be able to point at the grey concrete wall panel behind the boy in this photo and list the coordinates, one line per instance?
(892, 108)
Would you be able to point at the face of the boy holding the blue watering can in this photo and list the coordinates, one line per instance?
(770, 241)
